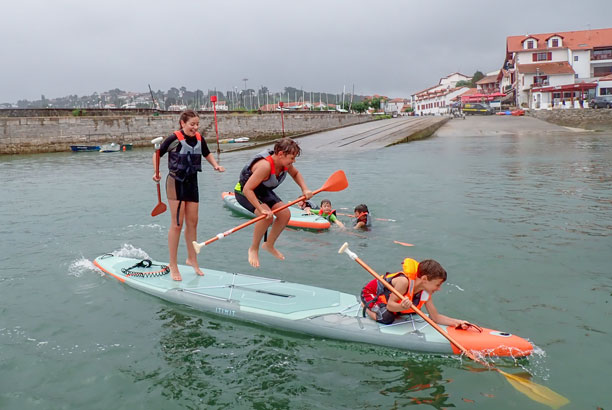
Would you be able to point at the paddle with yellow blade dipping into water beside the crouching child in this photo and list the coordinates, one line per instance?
(532, 390)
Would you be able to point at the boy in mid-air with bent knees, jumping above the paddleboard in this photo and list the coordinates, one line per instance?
(255, 192)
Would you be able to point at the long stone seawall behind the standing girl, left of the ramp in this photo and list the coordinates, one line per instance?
(55, 133)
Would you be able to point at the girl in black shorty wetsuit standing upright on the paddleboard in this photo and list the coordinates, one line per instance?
(185, 149)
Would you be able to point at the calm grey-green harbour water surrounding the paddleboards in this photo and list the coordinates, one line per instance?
(521, 224)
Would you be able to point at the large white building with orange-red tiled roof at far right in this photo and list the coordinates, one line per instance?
(553, 70)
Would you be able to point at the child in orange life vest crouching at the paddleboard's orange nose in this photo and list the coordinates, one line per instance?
(417, 282)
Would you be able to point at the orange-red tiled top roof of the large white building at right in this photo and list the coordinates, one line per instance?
(575, 40)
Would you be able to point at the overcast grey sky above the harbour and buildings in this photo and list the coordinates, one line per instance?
(393, 48)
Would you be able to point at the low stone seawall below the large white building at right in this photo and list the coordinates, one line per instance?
(590, 119)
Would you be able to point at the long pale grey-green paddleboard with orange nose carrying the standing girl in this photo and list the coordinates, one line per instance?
(305, 309)
